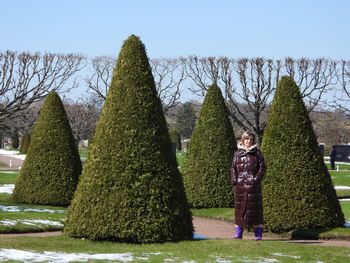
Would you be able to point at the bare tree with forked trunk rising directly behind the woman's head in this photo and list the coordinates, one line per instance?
(247, 85)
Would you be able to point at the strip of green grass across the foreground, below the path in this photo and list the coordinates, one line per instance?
(187, 251)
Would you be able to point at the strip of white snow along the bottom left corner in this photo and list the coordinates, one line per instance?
(62, 257)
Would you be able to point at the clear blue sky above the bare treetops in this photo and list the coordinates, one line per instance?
(235, 28)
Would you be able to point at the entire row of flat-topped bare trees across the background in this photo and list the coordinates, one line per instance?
(248, 84)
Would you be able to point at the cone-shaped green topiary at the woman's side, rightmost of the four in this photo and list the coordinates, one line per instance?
(297, 188)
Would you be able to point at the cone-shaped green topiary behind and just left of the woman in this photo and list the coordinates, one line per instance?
(208, 160)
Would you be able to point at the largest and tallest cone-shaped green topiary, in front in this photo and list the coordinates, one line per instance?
(131, 189)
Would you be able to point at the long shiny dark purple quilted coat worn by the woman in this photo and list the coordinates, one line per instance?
(248, 169)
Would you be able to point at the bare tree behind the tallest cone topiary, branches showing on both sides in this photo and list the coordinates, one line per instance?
(168, 75)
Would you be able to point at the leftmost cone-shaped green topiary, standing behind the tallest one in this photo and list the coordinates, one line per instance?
(52, 166)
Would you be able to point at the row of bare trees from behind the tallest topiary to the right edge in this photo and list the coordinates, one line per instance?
(248, 84)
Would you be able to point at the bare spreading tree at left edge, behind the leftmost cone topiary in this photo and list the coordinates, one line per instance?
(27, 78)
